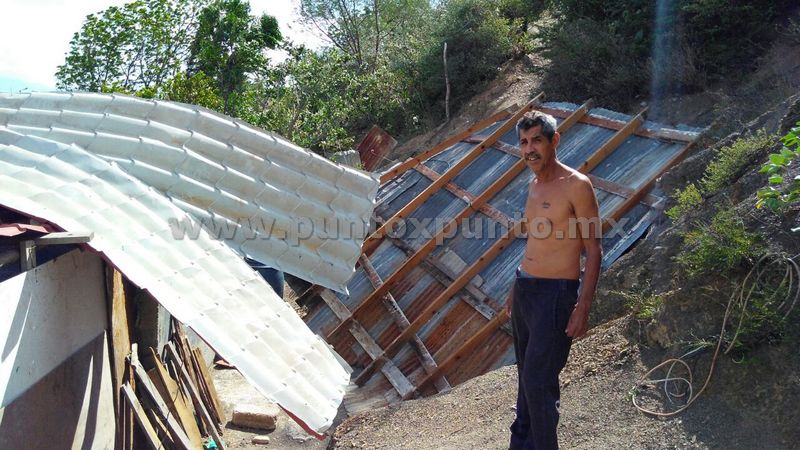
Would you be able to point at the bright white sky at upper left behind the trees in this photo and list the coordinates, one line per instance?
(35, 35)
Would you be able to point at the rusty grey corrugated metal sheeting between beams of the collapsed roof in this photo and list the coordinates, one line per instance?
(630, 166)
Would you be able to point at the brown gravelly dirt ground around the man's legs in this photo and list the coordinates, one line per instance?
(596, 410)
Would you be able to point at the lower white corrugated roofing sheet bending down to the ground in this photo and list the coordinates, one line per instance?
(202, 282)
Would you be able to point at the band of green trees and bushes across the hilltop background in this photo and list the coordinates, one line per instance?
(385, 65)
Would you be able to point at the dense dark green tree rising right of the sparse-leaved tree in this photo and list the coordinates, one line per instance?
(229, 46)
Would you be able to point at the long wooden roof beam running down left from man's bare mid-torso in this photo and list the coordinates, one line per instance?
(488, 256)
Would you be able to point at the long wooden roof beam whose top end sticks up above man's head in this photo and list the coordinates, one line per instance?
(372, 241)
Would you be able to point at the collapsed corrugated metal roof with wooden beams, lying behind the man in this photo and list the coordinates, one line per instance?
(425, 306)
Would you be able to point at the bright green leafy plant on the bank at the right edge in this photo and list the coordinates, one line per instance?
(774, 197)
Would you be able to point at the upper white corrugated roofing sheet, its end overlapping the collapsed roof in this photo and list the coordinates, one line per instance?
(264, 196)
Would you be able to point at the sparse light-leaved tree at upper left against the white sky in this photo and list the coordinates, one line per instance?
(137, 46)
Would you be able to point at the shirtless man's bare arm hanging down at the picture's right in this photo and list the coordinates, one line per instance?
(586, 211)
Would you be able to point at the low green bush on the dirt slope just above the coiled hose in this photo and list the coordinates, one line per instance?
(719, 246)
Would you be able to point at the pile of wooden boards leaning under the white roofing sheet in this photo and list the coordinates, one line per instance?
(174, 404)
